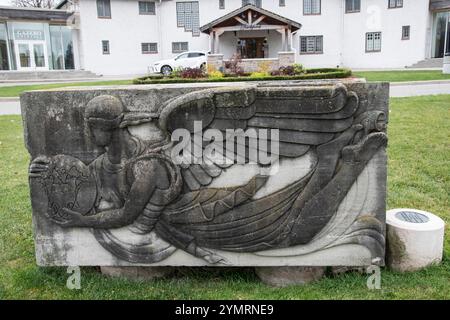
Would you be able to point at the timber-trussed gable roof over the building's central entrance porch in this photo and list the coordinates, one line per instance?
(238, 17)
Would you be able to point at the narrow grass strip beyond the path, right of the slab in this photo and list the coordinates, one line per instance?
(399, 76)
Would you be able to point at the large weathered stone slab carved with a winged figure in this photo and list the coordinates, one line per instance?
(107, 188)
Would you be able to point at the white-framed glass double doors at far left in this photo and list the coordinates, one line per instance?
(31, 55)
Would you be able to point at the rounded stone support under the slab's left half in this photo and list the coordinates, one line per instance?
(137, 273)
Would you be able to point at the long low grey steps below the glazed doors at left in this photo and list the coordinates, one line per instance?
(46, 75)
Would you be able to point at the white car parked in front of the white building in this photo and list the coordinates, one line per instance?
(190, 59)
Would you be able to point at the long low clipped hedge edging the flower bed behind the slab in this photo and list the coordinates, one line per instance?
(311, 74)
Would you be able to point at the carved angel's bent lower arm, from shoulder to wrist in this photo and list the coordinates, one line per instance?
(140, 193)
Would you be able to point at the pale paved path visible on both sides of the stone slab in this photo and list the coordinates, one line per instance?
(12, 105)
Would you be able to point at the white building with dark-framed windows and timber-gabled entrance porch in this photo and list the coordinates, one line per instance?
(127, 36)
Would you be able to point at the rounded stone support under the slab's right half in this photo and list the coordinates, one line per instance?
(288, 276)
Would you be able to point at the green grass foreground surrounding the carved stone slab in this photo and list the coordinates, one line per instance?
(419, 164)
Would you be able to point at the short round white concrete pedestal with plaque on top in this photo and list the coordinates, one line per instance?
(415, 239)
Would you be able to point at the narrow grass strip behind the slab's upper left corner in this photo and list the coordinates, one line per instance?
(15, 91)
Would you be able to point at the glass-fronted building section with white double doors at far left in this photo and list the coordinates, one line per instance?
(33, 39)
